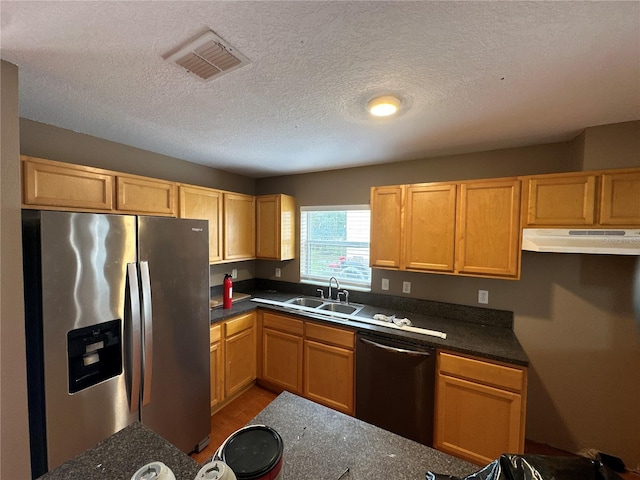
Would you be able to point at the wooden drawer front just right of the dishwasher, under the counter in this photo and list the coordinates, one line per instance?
(483, 372)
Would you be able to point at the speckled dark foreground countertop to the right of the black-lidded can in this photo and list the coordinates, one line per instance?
(320, 443)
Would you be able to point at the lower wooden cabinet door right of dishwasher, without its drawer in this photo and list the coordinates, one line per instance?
(476, 422)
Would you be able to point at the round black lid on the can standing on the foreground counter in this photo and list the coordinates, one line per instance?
(253, 451)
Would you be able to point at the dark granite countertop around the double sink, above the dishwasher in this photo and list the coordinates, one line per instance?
(487, 333)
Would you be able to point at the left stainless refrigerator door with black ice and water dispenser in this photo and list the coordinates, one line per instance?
(75, 278)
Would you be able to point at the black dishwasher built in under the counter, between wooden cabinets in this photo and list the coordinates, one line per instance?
(395, 384)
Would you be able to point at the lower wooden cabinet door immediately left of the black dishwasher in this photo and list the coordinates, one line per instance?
(329, 378)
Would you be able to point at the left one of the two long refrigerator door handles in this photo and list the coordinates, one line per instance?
(136, 337)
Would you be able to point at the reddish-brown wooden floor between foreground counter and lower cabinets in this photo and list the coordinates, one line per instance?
(239, 412)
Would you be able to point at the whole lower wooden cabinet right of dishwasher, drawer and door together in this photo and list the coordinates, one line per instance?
(480, 408)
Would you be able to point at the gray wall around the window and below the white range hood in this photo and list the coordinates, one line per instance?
(573, 313)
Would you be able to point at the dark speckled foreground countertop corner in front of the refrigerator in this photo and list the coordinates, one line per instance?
(122, 454)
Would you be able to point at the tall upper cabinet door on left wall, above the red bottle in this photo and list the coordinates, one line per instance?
(239, 227)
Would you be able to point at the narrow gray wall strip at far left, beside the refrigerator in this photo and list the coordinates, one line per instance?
(14, 433)
